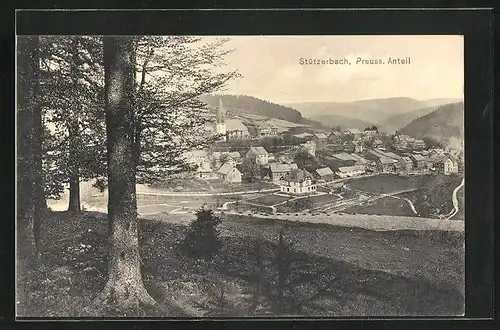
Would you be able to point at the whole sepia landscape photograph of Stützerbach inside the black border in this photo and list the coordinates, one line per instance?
(240, 176)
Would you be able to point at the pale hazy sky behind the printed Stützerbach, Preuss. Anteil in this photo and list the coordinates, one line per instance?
(271, 67)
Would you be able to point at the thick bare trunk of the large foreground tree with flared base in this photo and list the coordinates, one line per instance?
(125, 286)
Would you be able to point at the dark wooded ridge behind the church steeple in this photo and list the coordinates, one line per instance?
(248, 104)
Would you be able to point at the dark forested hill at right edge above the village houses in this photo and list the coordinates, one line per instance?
(443, 124)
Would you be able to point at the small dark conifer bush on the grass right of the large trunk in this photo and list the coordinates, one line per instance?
(202, 239)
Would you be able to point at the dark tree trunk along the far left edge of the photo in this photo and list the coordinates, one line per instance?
(27, 90)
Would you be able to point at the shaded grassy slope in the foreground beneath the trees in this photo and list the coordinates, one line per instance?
(326, 279)
